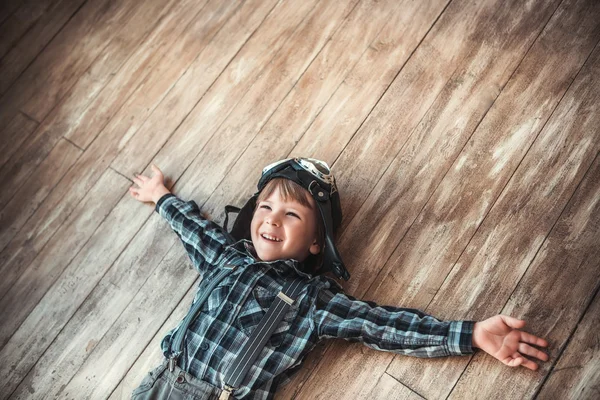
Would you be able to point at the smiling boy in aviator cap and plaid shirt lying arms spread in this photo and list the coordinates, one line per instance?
(284, 234)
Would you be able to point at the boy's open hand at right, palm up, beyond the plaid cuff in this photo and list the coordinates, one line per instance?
(499, 336)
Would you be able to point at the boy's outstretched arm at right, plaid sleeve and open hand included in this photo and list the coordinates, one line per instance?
(412, 332)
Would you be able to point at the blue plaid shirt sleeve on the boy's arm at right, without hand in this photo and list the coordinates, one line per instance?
(398, 330)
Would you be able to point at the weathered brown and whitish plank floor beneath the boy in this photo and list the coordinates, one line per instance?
(464, 136)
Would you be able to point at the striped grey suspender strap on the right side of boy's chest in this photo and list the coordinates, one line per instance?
(254, 345)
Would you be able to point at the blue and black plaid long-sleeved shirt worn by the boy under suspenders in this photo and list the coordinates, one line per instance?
(322, 310)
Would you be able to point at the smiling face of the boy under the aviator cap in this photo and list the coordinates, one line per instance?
(292, 225)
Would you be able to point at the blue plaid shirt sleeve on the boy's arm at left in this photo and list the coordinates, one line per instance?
(203, 239)
